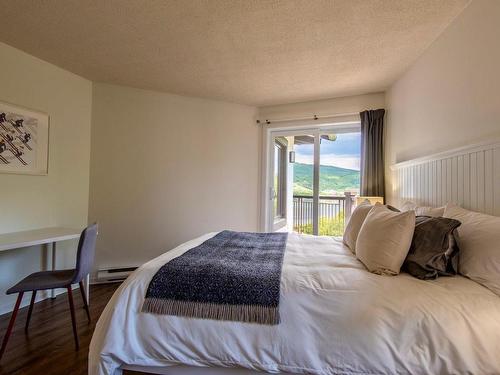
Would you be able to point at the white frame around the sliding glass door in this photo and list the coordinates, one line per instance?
(289, 129)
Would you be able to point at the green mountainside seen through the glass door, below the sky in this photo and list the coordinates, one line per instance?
(331, 179)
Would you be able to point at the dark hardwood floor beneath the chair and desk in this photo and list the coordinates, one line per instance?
(48, 347)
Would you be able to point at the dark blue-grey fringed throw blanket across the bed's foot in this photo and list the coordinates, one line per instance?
(232, 276)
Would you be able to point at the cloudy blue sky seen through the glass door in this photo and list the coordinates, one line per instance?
(343, 152)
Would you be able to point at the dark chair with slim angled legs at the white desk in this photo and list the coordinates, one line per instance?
(57, 279)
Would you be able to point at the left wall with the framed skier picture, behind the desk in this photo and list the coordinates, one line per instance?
(61, 197)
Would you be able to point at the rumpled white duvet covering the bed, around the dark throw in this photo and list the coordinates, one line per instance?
(337, 318)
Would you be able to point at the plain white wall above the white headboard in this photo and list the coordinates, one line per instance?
(449, 97)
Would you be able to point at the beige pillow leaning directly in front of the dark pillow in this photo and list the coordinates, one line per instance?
(384, 240)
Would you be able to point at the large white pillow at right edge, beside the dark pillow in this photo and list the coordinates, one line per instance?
(479, 244)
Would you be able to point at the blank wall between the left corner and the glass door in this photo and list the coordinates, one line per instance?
(167, 168)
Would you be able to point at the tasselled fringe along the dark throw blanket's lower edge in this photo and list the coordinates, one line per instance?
(241, 313)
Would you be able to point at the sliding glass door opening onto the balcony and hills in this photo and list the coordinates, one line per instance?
(315, 177)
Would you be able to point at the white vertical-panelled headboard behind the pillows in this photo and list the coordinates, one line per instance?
(468, 176)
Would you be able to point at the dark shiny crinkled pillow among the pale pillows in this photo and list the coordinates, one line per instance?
(433, 251)
